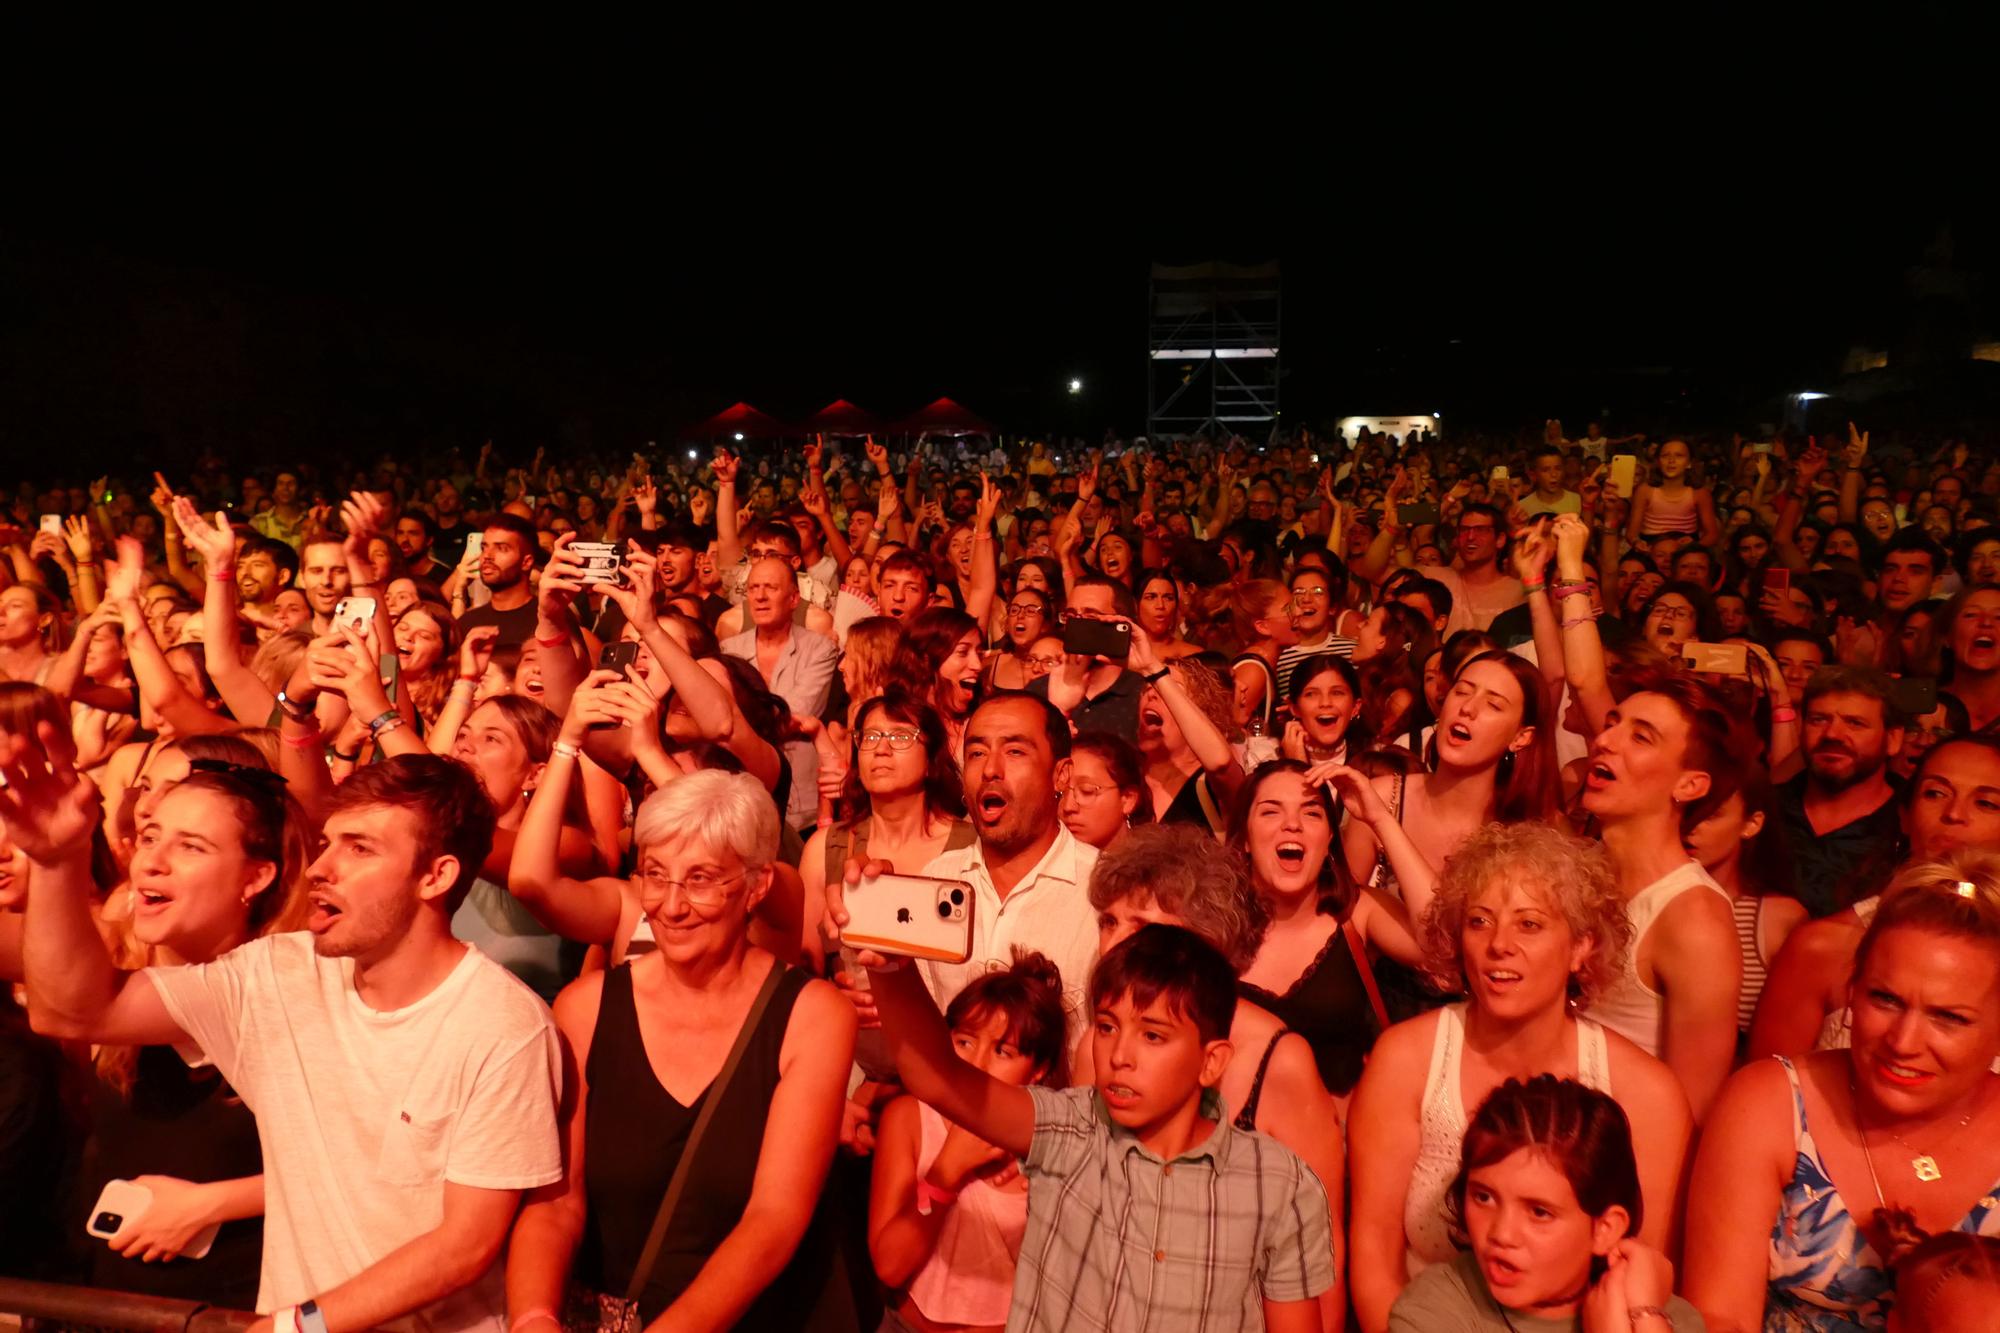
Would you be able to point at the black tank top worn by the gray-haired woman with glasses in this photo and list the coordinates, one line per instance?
(635, 1134)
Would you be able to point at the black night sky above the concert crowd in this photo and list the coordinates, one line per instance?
(343, 249)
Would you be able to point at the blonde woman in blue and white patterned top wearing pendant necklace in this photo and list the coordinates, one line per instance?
(1811, 1166)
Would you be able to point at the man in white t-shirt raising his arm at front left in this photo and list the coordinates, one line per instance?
(403, 1084)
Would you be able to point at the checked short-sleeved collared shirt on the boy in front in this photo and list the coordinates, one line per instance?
(1121, 1240)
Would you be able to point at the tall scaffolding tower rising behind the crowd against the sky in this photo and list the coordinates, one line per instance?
(1213, 349)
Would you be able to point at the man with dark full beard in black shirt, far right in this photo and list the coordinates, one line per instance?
(1841, 812)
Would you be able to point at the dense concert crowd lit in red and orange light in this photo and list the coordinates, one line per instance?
(1413, 884)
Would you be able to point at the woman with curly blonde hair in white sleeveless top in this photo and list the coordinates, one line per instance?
(1529, 926)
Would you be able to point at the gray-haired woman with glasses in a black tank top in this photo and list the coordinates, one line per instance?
(705, 1106)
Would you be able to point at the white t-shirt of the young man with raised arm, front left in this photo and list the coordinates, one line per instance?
(365, 1116)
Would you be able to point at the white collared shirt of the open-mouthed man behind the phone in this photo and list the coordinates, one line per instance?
(1049, 914)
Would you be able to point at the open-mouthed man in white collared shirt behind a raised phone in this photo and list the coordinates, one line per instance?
(1027, 872)
